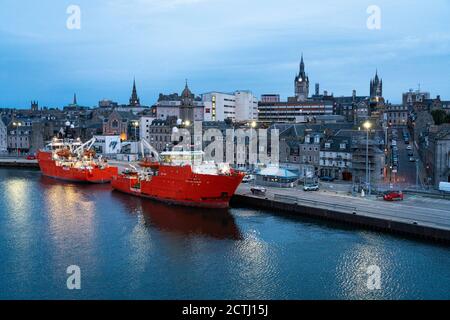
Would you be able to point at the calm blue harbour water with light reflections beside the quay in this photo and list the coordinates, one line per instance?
(128, 248)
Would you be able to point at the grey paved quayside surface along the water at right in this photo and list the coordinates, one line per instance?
(414, 209)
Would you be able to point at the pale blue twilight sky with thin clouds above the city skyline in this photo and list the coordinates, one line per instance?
(219, 45)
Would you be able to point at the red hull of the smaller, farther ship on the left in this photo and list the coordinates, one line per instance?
(96, 175)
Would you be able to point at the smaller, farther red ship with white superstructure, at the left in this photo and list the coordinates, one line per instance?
(70, 160)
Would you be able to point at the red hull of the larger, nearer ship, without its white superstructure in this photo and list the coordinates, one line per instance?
(180, 186)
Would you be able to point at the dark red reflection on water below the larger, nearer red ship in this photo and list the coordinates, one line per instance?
(219, 224)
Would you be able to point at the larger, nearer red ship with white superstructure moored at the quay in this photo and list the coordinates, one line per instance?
(181, 178)
